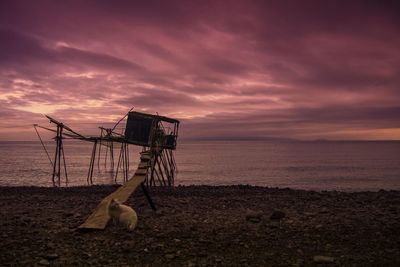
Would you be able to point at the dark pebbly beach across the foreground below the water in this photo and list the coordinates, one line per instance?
(203, 226)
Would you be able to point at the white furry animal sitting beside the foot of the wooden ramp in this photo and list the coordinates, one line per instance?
(122, 214)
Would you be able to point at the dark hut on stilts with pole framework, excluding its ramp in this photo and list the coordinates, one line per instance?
(157, 135)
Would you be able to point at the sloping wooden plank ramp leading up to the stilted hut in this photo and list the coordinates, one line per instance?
(99, 218)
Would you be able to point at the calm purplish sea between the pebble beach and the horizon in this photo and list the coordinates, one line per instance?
(349, 166)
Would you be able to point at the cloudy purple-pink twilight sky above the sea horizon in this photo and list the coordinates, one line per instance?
(227, 69)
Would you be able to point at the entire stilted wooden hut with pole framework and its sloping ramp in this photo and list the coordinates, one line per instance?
(157, 135)
